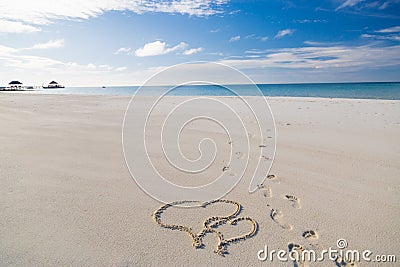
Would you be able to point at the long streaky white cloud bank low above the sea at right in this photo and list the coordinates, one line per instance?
(328, 58)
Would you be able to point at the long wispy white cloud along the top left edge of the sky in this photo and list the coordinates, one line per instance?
(17, 13)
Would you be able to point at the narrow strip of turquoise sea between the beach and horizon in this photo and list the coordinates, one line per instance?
(325, 90)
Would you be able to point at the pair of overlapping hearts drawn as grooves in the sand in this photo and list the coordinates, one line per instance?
(210, 225)
